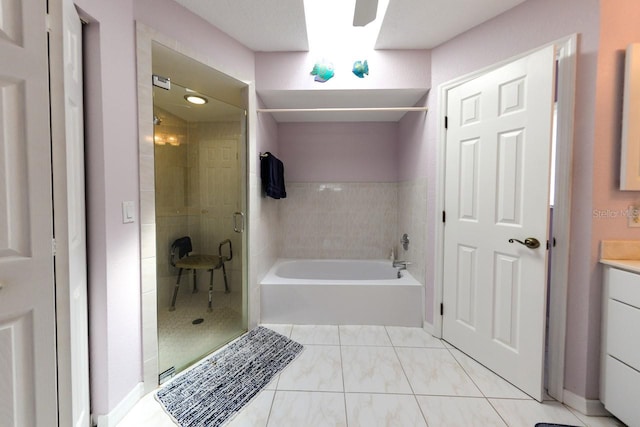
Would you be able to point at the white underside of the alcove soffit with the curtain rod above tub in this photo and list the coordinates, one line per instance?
(366, 105)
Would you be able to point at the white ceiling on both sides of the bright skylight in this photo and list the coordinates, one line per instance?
(279, 25)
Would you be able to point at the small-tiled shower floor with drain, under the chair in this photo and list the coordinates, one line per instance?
(180, 342)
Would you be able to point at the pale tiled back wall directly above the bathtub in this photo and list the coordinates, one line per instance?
(339, 220)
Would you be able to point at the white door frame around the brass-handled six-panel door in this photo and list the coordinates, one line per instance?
(561, 219)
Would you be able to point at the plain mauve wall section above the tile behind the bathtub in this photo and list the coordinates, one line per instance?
(339, 152)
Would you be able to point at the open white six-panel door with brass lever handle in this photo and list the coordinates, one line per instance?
(498, 146)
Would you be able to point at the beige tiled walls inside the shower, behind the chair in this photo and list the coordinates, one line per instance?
(180, 201)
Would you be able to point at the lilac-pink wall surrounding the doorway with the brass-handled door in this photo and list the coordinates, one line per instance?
(523, 28)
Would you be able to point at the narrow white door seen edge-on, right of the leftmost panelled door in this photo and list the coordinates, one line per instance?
(71, 267)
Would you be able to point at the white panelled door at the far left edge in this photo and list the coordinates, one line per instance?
(28, 392)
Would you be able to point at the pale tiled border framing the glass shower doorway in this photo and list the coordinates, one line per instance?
(145, 37)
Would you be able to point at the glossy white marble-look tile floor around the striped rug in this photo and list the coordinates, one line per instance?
(373, 376)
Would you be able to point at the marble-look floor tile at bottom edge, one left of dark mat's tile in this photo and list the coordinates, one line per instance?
(446, 411)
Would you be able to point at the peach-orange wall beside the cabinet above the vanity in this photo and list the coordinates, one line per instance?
(619, 26)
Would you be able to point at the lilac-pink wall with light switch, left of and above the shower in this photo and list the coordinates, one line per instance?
(112, 175)
